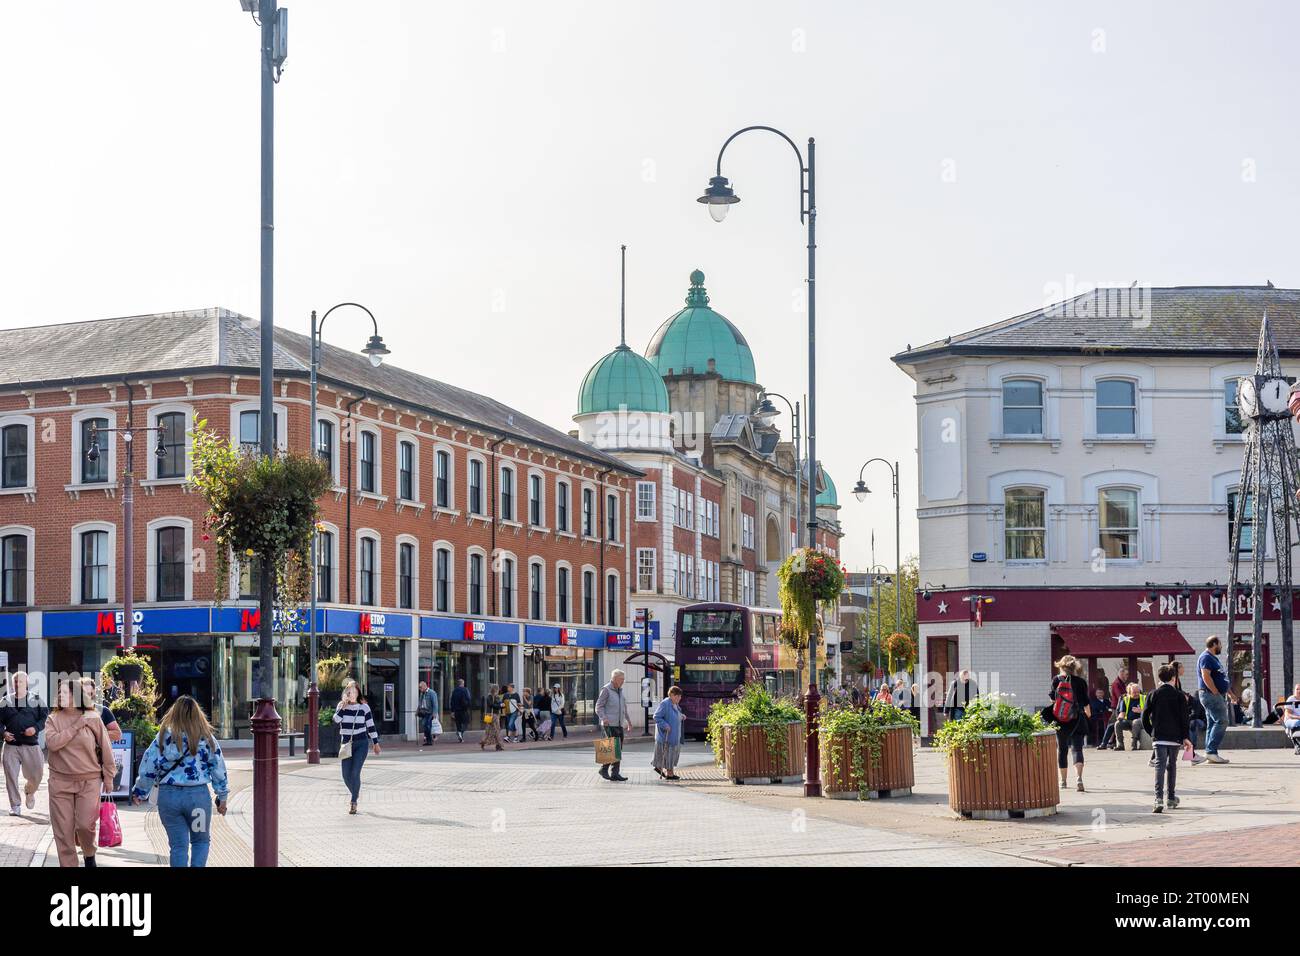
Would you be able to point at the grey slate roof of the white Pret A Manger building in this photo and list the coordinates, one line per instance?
(1208, 321)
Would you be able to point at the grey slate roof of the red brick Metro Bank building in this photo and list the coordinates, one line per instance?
(219, 340)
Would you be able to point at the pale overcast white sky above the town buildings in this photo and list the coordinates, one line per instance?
(469, 171)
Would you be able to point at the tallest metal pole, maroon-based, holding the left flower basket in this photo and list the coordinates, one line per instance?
(266, 720)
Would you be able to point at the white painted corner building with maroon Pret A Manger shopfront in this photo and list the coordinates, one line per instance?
(1077, 465)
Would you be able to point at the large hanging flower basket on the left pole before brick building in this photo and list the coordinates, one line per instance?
(262, 508)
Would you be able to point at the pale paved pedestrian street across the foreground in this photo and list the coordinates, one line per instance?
(476, 808)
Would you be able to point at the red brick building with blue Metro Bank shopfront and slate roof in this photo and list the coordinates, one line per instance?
(463, 539)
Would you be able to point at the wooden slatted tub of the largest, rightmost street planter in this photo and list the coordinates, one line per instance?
(1009, 781)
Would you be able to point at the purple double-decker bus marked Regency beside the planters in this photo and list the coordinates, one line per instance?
(720, 648)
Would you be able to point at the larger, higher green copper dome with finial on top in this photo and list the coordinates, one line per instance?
(696, 335)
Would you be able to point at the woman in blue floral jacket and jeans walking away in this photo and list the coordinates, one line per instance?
(184, 762)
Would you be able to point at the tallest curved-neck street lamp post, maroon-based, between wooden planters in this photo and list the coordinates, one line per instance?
(720, 198)
